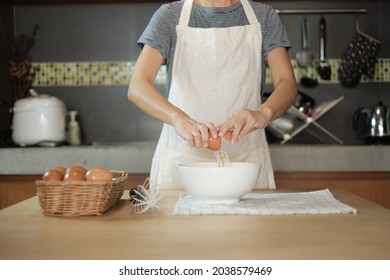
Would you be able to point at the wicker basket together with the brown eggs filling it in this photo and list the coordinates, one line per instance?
(77, 191)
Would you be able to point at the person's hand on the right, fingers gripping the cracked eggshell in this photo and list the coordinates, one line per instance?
(243, 121)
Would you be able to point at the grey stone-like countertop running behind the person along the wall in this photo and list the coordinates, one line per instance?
(136, 157)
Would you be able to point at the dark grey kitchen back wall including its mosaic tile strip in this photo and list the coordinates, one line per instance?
(86, 51)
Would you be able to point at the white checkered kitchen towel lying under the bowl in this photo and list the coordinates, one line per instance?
(300, 203)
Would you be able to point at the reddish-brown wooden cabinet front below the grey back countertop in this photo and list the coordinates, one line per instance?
(374, 186)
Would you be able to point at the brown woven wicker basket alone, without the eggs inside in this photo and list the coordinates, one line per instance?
(80, 198)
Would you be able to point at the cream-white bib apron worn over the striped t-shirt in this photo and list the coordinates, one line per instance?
(215, 71)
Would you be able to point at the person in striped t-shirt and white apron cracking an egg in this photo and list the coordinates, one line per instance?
(215, 52)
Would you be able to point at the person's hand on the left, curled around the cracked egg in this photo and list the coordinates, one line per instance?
(195, 133)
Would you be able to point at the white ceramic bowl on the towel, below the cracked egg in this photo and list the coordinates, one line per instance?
(213, 184)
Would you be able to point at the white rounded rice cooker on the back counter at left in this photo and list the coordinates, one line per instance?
(39, 120)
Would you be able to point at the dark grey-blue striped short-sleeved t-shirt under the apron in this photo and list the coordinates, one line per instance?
(161, 30)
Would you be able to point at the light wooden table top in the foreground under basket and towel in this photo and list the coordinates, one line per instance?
(121, 234)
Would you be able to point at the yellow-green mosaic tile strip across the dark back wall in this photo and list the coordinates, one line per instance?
(119, 73)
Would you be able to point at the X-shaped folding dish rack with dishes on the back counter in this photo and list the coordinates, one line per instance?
(305, 121)
